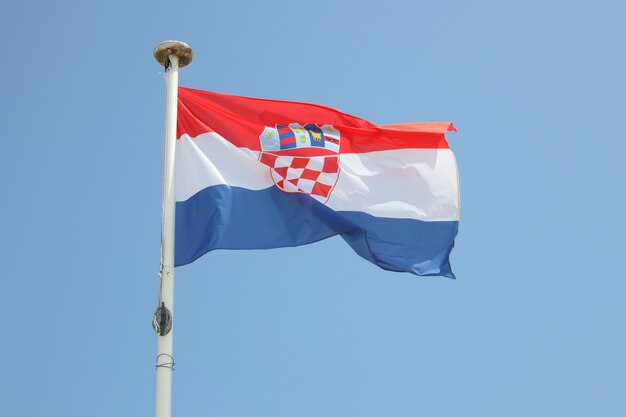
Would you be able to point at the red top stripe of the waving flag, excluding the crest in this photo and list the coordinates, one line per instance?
(241, 120)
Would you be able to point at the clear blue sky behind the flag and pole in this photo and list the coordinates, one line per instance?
(534, 324)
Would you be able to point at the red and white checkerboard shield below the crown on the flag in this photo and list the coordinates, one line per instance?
(312, 175)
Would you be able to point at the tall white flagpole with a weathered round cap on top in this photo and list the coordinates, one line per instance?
(172, 55)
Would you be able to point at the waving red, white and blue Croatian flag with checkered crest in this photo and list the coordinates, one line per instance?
(258, 174)
